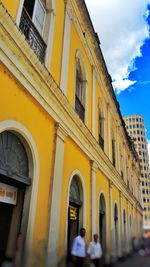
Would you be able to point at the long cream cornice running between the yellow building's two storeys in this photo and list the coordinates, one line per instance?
(21, 61)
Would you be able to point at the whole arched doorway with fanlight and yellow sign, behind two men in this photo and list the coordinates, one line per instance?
(75, 211)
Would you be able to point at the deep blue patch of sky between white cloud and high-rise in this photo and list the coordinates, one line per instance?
(136, 98)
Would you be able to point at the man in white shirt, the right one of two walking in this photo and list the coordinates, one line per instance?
(95, 251)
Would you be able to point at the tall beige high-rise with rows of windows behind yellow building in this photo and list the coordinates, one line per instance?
(136, 130)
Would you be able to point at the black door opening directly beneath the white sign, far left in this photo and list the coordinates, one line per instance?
(5, 221)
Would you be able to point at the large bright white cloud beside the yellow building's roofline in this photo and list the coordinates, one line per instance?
(122, 30)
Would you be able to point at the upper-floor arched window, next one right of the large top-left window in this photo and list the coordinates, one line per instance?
(80, 87)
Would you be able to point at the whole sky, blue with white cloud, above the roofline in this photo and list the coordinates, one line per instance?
(123, 27)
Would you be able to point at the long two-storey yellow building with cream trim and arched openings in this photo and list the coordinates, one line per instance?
(65, 157)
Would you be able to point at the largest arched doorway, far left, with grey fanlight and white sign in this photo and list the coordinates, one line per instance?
(14, 179)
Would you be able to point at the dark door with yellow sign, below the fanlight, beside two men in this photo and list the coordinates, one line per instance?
(73, 224)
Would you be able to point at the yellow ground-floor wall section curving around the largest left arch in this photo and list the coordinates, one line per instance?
(16, 104)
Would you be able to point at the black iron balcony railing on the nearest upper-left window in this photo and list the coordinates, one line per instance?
(32, 35)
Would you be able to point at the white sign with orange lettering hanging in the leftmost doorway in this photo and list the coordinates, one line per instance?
(8, 194)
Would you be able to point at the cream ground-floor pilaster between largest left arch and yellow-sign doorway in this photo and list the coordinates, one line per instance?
(54, 218)
